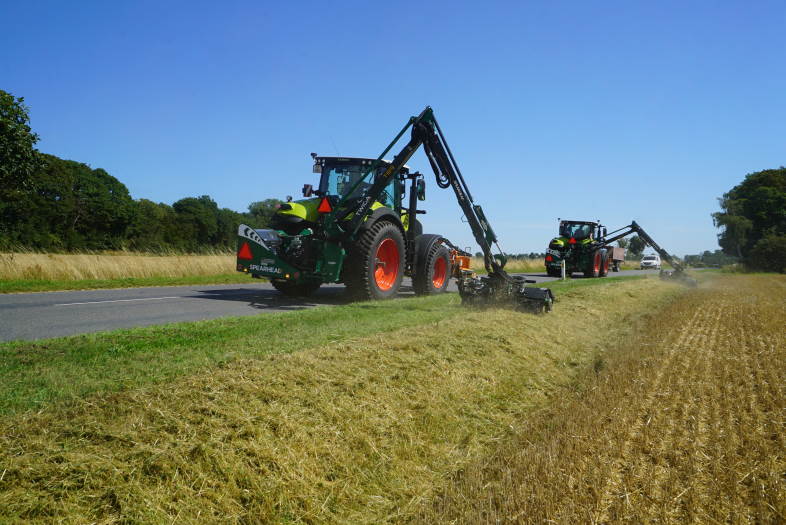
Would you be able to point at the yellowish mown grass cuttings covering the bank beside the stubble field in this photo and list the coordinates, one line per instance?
(359, 430)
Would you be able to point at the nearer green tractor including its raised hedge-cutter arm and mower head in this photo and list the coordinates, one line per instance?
(359, 227)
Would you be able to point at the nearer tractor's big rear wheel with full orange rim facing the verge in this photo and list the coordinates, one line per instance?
(375, 264)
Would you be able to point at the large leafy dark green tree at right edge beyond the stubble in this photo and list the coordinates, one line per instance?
(753, 213)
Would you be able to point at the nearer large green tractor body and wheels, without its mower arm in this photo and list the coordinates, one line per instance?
(297, 254)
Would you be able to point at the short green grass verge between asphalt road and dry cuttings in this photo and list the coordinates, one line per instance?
(35, 373)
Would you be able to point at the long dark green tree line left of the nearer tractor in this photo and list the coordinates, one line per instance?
(53, 204)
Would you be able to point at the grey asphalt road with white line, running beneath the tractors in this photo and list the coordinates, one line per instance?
(42, 315)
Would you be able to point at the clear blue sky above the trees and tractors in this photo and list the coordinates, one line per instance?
(611, 110)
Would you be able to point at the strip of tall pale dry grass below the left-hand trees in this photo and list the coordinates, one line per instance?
(73, 267)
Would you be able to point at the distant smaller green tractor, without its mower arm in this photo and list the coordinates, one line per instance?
(581, 246)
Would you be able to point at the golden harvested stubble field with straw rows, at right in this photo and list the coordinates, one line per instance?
(686, 424)
